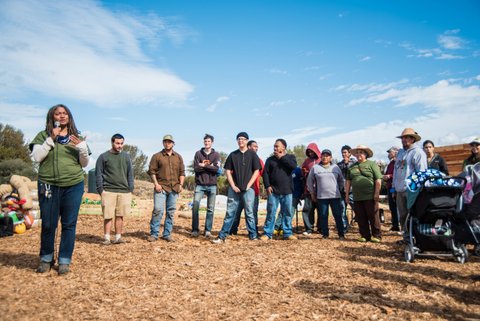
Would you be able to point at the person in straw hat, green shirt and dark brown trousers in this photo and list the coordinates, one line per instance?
(365, 178)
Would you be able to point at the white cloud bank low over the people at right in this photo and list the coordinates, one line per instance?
(448, 114)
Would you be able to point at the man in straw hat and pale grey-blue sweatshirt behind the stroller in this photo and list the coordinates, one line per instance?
(410, 158)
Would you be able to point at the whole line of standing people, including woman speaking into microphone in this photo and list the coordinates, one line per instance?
(356, 181)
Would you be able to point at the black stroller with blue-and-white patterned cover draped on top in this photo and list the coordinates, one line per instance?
(433, 201)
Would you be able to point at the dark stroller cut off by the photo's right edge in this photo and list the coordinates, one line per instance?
(467, 225)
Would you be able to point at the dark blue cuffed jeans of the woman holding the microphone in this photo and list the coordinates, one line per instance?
(64, 203)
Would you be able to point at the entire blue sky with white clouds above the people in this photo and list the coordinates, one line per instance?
(330, 72)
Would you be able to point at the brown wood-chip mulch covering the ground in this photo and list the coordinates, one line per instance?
(192, 279)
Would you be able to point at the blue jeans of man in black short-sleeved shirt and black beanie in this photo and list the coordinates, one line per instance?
(246, 199)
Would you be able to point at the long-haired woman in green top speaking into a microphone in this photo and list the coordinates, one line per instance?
(62, 154)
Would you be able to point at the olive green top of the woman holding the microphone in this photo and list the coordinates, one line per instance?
(61, 167)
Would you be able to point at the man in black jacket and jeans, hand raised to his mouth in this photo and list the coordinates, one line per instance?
(277, 178)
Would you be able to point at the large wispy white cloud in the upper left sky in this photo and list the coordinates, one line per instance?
(80, 50)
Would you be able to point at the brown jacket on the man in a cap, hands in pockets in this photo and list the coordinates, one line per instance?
(168, 170)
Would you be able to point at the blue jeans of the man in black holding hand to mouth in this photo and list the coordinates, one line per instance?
(285, 202)
